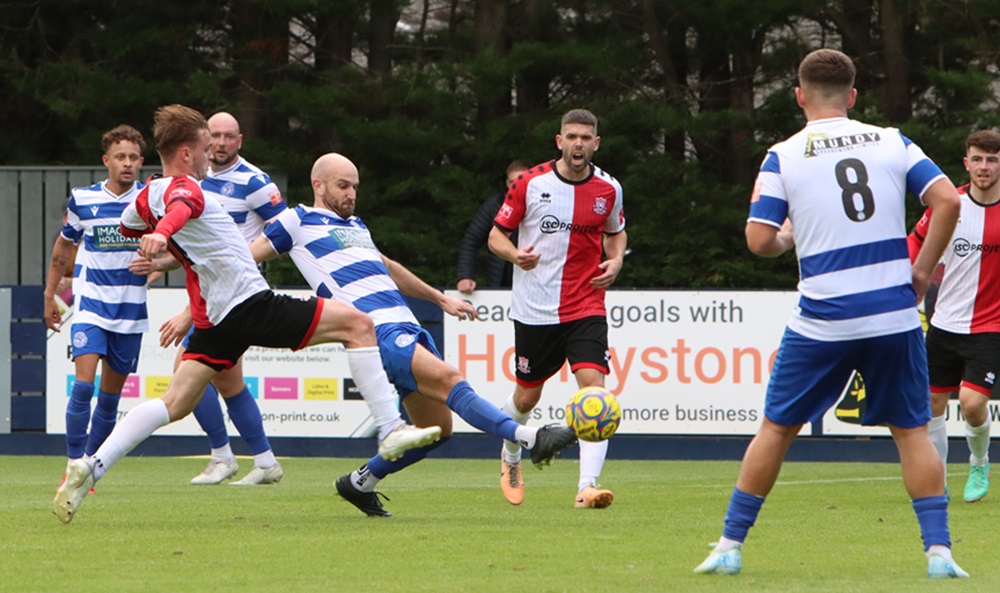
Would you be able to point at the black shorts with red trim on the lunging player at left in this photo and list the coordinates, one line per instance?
(265, 319)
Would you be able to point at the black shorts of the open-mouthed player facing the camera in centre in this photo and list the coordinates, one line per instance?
(541, 350)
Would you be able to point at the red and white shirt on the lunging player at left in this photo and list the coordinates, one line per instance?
(202, 236)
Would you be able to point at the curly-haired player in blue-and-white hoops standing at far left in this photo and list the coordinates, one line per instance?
(110, 301)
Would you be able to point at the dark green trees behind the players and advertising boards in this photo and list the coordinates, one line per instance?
(432, 98)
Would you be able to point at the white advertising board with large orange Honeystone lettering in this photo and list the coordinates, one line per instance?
(681, 362)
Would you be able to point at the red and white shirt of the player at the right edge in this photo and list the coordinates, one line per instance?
(969, 299)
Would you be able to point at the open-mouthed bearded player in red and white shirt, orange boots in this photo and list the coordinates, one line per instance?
(568, 214)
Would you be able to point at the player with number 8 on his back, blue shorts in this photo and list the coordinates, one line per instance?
(835, 193)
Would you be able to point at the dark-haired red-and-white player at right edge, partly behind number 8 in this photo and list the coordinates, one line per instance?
(963, 340)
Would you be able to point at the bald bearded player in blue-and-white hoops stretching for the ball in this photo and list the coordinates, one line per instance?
(338, 258)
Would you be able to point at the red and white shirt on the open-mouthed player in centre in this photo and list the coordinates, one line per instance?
(566, 222)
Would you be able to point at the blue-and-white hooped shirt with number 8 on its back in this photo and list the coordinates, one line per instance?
(843, 184)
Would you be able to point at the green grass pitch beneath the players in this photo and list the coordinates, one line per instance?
(827, 527)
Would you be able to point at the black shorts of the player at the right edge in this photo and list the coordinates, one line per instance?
(962, 360)
